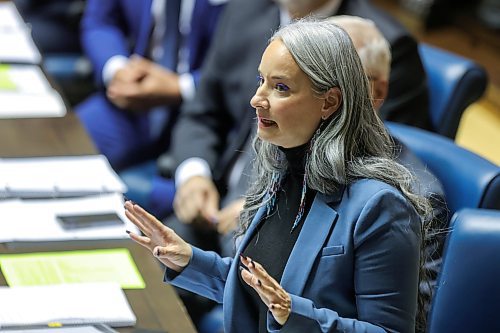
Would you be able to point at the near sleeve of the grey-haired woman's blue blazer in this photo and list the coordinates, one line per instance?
(386, 269)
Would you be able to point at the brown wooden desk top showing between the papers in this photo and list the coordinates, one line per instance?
(157, 307)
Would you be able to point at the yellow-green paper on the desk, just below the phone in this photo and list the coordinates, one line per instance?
(35, 269)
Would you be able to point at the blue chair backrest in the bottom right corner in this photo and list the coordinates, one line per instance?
(467, 297)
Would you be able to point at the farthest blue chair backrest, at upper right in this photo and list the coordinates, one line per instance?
(454, 83)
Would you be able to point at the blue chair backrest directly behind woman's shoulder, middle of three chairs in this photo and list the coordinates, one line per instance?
(469, 181)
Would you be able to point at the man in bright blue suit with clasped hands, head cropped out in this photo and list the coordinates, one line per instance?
(146, 57)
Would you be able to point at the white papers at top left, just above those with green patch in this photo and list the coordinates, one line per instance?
(17, 46)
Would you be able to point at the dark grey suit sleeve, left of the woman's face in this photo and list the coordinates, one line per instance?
(204, 122)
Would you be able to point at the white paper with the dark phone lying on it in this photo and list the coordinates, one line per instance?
(35, 220)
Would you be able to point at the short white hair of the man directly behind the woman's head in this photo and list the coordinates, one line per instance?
(373, 49)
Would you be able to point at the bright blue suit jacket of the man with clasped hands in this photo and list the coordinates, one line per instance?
(123, 27)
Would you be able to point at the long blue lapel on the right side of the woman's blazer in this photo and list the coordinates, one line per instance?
(311, 240)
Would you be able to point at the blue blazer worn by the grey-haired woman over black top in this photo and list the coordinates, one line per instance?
(354, 267)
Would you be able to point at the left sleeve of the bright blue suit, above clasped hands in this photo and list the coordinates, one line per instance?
(103, 33)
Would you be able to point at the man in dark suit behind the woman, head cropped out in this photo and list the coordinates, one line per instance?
(216, 124)
